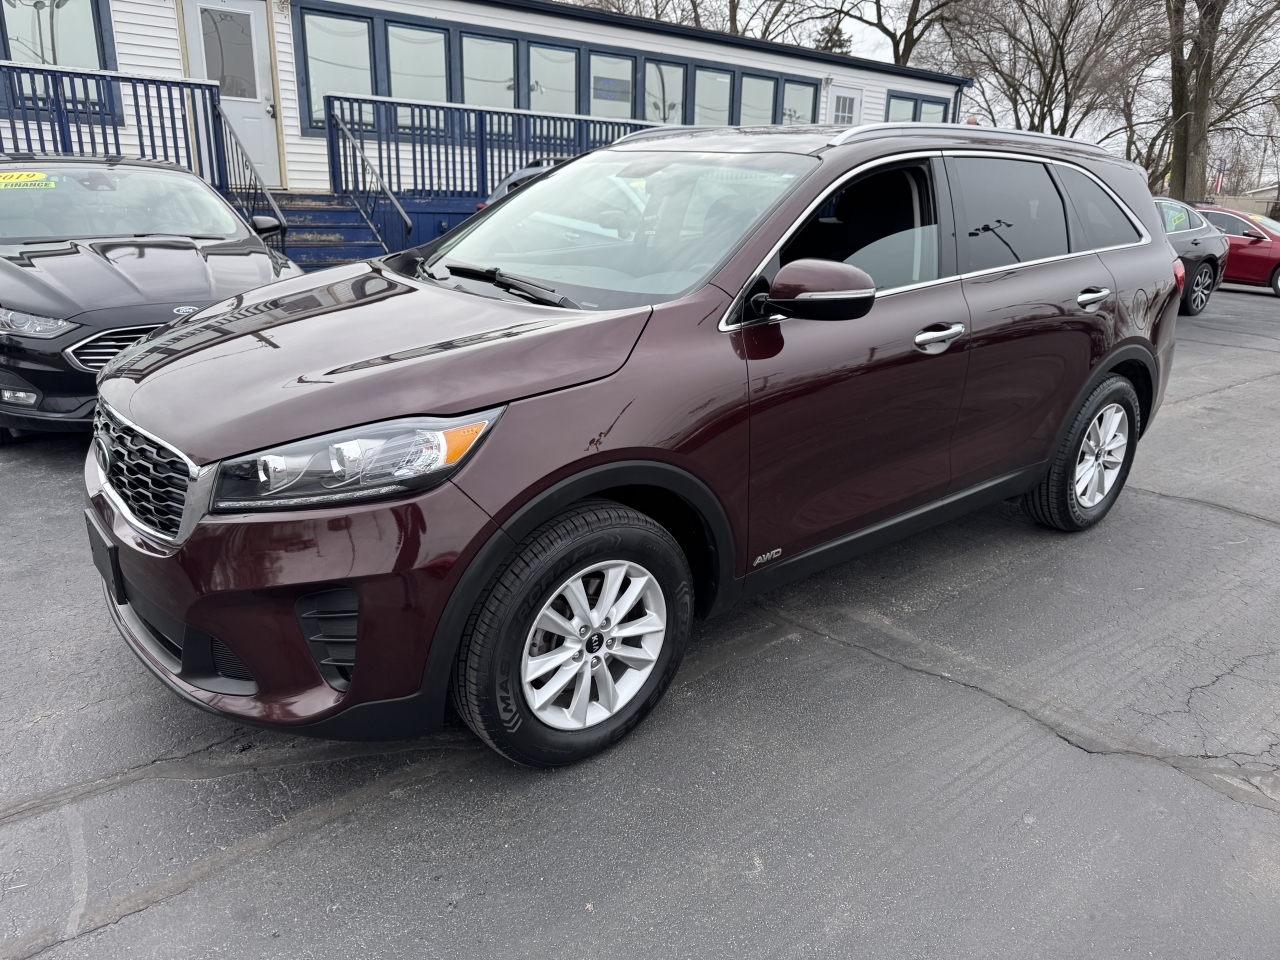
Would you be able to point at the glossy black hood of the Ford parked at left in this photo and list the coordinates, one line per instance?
(68, 278)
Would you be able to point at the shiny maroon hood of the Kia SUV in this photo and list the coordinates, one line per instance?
(351, 346)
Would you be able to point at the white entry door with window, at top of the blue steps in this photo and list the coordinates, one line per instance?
(228, 42)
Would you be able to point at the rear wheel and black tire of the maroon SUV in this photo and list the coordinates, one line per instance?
(1089, 472)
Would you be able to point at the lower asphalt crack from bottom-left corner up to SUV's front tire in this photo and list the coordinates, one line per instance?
(307, 822)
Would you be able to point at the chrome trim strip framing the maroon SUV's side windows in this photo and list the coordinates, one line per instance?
(1145, 236)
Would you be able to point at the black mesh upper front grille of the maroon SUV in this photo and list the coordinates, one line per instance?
(148, 476)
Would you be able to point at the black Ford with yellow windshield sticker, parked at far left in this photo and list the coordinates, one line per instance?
(95, 255)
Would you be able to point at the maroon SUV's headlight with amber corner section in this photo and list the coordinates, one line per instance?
(380, 460)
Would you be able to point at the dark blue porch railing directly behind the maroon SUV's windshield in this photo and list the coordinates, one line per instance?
(428, 150)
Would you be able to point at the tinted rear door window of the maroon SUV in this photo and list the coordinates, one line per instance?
(1012, 213)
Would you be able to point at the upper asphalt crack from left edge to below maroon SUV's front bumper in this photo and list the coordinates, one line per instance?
(182, 769)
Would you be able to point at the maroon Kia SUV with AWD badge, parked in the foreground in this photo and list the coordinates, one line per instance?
(511, 467)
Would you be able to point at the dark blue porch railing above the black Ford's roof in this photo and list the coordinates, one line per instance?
(102, 113)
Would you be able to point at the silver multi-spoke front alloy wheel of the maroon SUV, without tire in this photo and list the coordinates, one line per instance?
(593, 646)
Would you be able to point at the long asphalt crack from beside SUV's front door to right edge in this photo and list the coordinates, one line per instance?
(1249, 787)
